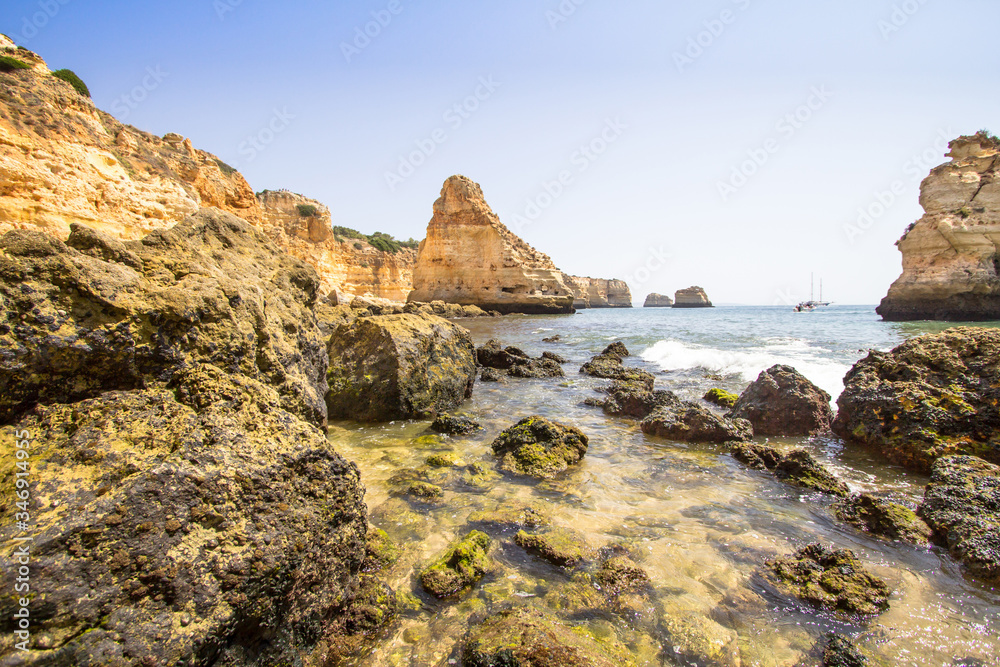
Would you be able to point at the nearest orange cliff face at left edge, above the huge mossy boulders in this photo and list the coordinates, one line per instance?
(62, 160)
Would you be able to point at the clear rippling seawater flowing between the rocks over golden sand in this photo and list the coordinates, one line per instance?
(702, 522)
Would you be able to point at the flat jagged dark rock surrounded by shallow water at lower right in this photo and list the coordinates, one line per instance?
(831, 579)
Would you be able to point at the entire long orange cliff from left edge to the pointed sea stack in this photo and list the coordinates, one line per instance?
(64, 161)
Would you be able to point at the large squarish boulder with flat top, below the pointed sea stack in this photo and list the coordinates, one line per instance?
(399, 367)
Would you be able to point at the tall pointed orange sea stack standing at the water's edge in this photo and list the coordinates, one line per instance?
(469, 257)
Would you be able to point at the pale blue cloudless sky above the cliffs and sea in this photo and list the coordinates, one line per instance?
(739, 145)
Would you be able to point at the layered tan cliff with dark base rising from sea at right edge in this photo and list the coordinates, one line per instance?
(951, 256)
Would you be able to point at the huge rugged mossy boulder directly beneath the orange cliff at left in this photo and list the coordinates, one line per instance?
(96, 314)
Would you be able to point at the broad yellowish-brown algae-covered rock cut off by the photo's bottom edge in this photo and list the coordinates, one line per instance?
(529, 637)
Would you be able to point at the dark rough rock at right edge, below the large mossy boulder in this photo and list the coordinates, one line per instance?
(962, 505)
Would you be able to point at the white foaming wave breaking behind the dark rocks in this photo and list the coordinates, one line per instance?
(824, 372)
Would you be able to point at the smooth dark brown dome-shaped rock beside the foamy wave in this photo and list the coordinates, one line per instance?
(781, 402)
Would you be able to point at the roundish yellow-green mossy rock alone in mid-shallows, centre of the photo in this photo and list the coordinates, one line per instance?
(540, 448)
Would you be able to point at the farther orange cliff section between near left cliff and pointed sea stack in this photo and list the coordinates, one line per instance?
(349, 267)
